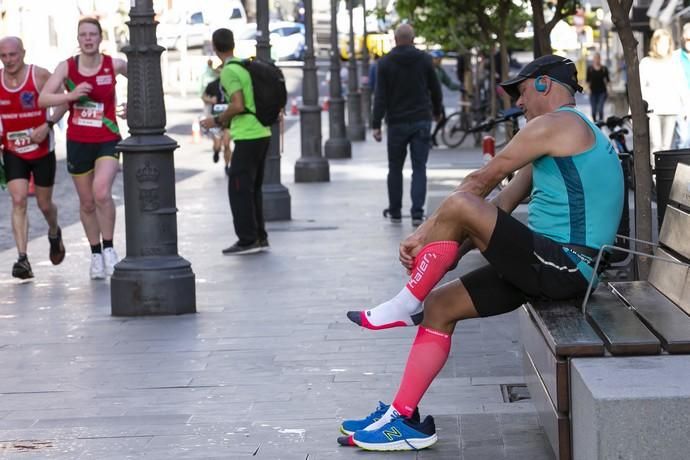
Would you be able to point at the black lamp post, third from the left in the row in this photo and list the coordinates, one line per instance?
(311, 166)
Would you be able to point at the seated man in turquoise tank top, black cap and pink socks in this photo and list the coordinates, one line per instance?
(576, 185)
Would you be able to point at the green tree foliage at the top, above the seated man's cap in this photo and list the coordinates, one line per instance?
(465, 24)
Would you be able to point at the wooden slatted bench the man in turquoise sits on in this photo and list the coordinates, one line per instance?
(632, 318)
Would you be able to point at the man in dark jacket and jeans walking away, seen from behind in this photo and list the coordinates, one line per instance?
(407, 94)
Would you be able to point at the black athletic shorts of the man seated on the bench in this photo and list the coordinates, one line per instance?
(523, 265)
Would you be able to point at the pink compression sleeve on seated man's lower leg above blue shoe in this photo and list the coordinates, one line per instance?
(427, 357)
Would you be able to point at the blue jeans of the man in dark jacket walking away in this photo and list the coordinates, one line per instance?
(418, 136)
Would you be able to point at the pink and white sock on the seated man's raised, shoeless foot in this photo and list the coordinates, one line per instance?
(405, 309)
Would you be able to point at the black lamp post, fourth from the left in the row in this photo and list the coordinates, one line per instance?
(338, 145)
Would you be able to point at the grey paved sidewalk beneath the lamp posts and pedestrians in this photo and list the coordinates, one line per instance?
(269, 365)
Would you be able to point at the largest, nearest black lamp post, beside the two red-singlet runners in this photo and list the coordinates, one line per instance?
(152, 279)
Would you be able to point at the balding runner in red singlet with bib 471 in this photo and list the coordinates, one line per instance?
(28, 147)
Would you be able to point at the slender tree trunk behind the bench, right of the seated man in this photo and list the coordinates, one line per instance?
(620, 14)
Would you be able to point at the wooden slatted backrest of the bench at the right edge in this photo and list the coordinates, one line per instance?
(671, 279)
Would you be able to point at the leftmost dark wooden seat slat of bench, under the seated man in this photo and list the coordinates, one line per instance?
(565, 329)
